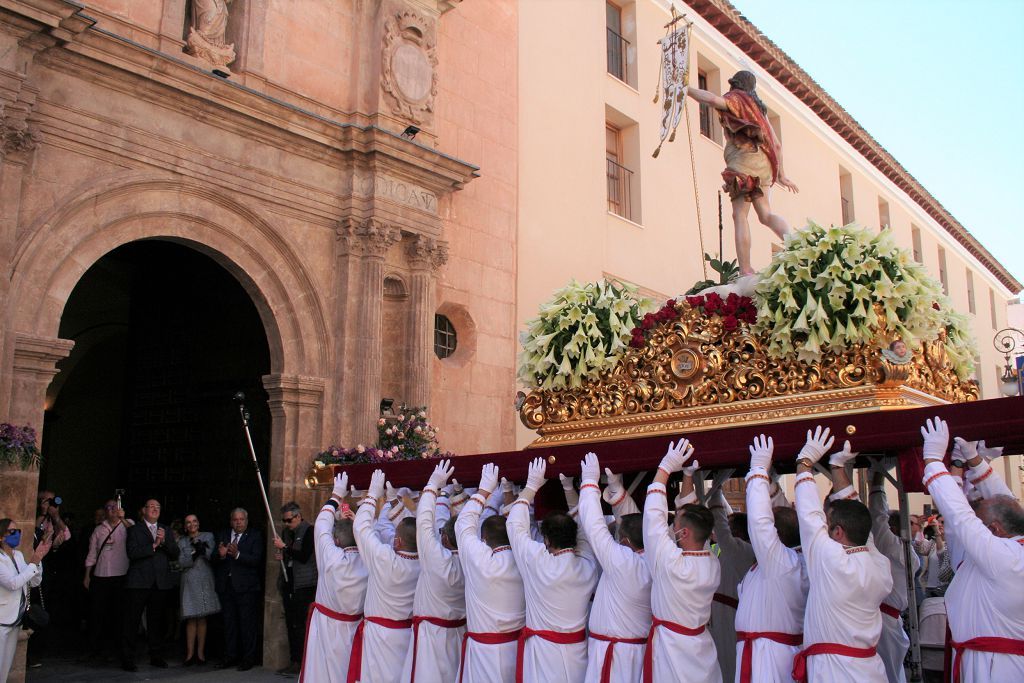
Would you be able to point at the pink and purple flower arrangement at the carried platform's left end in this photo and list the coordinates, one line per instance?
(407, 436)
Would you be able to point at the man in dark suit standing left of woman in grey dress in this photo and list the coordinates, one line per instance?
(151, 548)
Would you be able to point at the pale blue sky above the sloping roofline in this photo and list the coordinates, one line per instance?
(938, 83)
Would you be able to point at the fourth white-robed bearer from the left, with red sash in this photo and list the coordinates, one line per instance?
(496, 607)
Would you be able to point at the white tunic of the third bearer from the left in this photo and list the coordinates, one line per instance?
(440, 593)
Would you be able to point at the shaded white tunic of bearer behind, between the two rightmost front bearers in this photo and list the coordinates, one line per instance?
(894, 644)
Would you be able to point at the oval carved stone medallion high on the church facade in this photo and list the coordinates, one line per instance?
(409, 75)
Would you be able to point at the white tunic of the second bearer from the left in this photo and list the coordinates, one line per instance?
(391, 588)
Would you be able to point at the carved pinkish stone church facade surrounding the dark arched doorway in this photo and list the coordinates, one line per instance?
(274, 138)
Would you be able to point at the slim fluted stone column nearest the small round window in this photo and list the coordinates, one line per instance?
(425, 257)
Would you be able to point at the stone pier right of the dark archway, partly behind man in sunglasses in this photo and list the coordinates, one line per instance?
(296, 408)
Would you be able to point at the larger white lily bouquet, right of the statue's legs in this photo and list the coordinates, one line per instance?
(819, 296)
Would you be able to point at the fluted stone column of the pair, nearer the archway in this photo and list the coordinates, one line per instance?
(376, 238)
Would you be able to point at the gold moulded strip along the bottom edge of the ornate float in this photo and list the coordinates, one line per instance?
(868, 399)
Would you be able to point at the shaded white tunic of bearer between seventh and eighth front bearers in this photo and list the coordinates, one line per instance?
(737, 558)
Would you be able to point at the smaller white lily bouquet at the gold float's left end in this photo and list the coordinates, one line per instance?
(583, 330)
